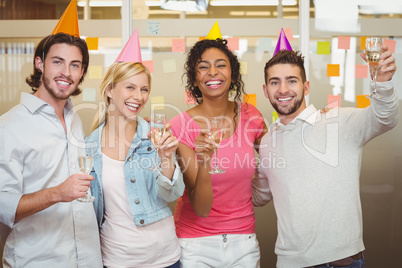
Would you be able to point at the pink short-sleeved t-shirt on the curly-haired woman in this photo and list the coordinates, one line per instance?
(232, 210)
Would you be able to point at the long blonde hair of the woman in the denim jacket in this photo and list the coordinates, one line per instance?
(117, 72)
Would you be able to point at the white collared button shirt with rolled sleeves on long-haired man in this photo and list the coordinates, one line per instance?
(36, 153)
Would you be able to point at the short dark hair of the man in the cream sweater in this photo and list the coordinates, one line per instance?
(287, 57)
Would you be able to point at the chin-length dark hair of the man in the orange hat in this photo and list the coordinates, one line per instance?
(43, 48)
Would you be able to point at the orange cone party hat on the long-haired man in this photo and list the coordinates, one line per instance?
(68, 22)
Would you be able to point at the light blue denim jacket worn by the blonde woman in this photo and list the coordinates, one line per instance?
(148, 192)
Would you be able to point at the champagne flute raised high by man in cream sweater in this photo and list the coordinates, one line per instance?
(373, 51)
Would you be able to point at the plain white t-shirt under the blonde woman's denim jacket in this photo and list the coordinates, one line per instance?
(123, 243)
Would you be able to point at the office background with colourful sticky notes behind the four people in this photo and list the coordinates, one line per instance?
(255, 30)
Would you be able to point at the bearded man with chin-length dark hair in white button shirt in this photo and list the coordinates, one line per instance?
(40, 180)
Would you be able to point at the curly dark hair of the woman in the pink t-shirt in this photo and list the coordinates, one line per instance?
(194, 57)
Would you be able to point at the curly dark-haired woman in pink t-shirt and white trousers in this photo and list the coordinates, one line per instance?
(214, 218)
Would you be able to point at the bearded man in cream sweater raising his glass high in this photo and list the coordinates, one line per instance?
(316, 192)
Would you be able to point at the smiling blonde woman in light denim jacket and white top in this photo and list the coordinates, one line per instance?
(135, 221)
